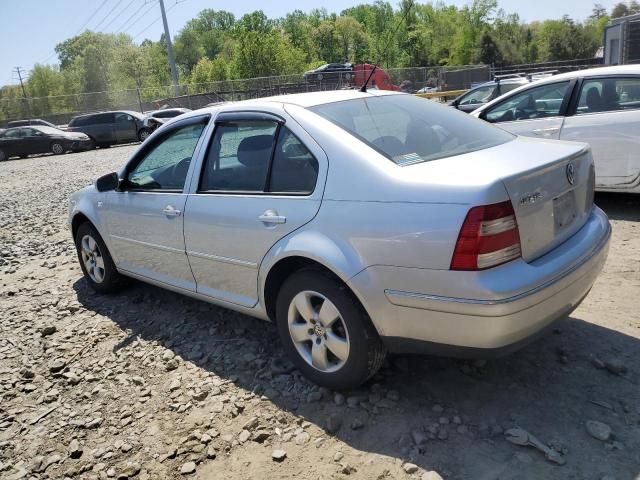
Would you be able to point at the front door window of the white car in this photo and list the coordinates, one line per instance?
(538, 102)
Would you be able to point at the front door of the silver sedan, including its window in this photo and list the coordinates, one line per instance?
(145, 218)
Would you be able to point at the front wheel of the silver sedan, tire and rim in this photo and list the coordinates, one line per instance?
(95, 260)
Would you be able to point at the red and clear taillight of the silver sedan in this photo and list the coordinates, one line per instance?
(489, 236)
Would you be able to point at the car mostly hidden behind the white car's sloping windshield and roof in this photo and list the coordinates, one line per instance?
(486, 92)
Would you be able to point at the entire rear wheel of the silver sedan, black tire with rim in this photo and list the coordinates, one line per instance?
(326, 332)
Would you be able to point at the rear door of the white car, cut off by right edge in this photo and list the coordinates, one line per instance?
(607, 116)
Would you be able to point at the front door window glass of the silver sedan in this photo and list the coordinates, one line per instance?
(166, 163)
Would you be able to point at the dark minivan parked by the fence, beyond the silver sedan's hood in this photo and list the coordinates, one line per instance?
(111, 128)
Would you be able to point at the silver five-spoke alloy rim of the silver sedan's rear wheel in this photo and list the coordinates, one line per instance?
(318, 331)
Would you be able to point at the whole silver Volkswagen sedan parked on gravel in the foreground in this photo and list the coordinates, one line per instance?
(359, 223)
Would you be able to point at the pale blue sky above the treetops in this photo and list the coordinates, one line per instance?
(31, 28)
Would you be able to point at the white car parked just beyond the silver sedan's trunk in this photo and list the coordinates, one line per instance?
(600, 106)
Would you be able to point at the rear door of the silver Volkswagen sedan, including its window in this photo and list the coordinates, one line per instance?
(261, 179)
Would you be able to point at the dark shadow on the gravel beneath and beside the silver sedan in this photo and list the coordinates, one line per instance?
(547, 388)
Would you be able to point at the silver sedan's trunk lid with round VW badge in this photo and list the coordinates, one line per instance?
(534, 173)
